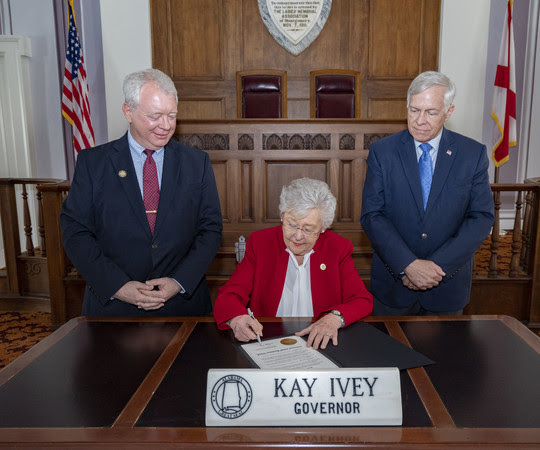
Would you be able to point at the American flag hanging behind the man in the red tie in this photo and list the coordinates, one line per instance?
(75, 105)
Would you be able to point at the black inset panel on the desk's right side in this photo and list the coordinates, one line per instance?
(486, 375)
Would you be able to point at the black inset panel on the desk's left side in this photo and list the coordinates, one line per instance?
(87, 378)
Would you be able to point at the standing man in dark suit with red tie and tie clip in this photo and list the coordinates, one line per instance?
(142, 220)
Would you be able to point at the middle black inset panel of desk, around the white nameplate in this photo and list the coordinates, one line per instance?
(180, 400)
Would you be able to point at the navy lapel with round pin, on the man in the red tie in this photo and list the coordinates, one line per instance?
(122, 161)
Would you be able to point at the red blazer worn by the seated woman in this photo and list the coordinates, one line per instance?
(259, 278)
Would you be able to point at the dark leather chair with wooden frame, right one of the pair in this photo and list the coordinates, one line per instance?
(335, 93)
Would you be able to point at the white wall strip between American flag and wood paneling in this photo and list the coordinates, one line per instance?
(126, 48)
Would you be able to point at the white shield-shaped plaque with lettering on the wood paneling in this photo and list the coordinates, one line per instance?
(294, 24)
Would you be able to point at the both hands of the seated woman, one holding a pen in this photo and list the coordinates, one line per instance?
(246, 329)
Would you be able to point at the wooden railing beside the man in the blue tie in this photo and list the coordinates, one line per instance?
(506, 279)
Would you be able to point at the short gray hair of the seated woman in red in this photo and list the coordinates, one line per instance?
(302, 195)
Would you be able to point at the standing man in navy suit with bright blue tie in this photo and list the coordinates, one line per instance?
(425, 208)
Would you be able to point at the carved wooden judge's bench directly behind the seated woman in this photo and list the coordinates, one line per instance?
(254, 159)
